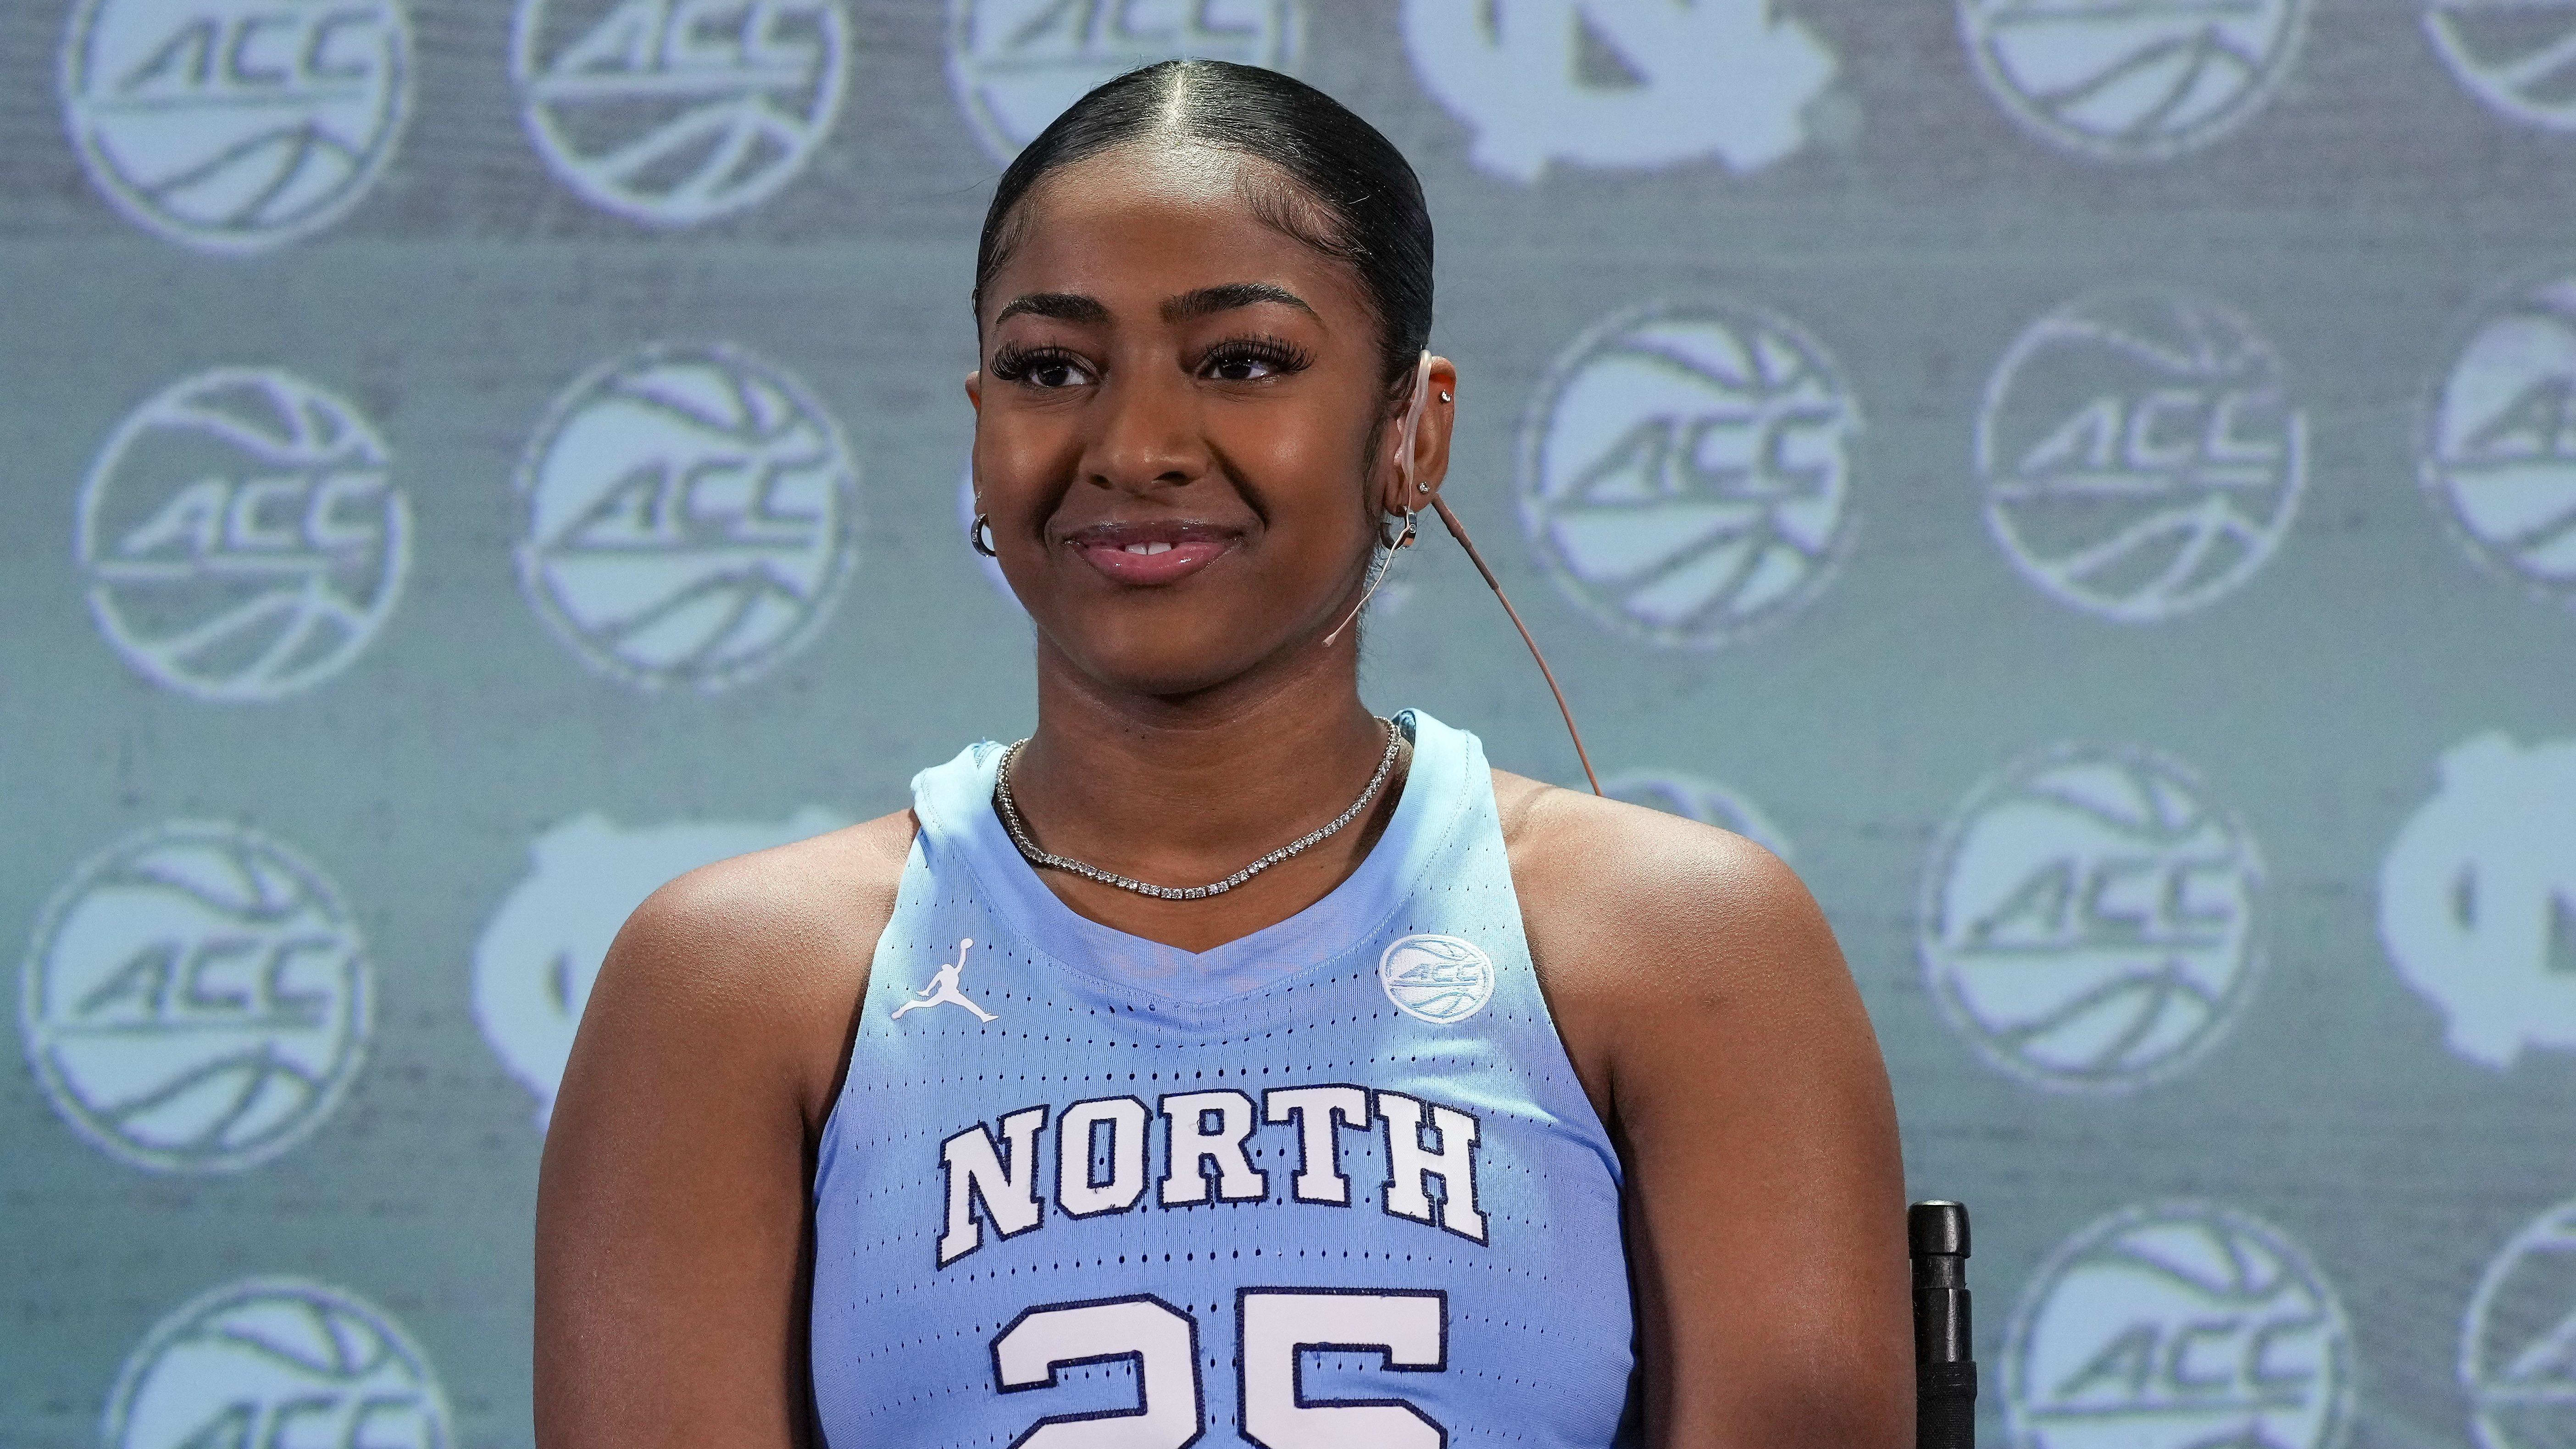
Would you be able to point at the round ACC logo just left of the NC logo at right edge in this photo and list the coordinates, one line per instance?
(2090, 919)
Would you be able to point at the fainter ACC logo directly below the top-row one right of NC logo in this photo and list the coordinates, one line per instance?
(2139, 455)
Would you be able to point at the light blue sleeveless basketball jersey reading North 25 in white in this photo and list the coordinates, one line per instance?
(1325, 1187)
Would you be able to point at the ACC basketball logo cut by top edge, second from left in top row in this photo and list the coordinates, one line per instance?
(676, 112)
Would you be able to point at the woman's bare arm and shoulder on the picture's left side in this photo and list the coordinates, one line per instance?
(674, 1234)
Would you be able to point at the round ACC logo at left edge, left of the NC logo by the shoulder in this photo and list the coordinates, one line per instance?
(197, 999)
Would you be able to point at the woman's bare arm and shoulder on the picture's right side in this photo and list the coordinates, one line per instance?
(1712, 1017)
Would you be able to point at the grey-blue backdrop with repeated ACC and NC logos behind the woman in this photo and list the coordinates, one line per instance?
(2093, 483)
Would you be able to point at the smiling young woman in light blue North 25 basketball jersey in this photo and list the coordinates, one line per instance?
(1222, 1061)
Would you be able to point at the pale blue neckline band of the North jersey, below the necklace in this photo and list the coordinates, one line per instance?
(954, 806)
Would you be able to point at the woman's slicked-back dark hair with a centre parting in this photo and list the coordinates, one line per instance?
(1351, 195)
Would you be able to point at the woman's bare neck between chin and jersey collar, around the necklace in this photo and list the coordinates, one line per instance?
(1191, 790)
